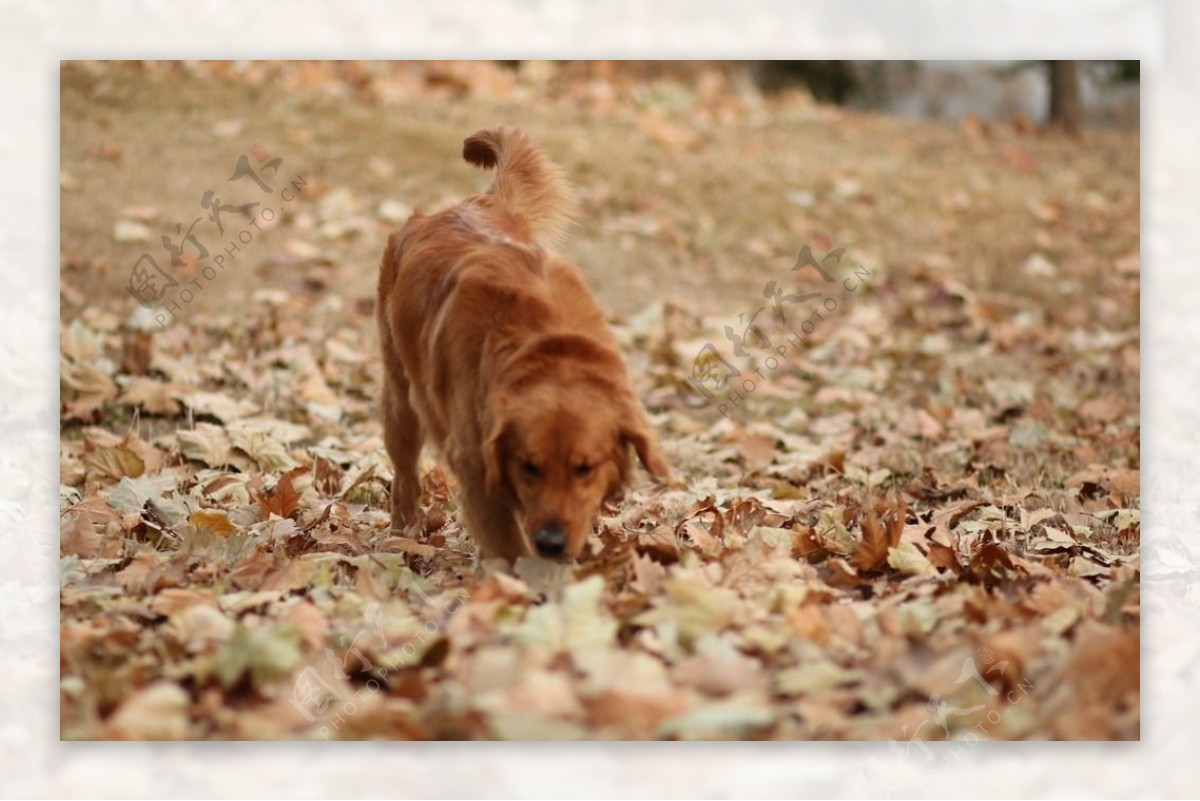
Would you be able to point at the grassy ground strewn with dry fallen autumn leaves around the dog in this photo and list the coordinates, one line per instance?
(917, 521)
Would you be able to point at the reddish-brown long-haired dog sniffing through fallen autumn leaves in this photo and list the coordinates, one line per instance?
(496, 352)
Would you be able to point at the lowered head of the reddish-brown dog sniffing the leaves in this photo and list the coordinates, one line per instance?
(562, 443)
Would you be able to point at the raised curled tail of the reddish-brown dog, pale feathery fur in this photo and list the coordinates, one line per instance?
(527, 183)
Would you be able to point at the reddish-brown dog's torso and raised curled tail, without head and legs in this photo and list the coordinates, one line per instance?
(481, 273)
